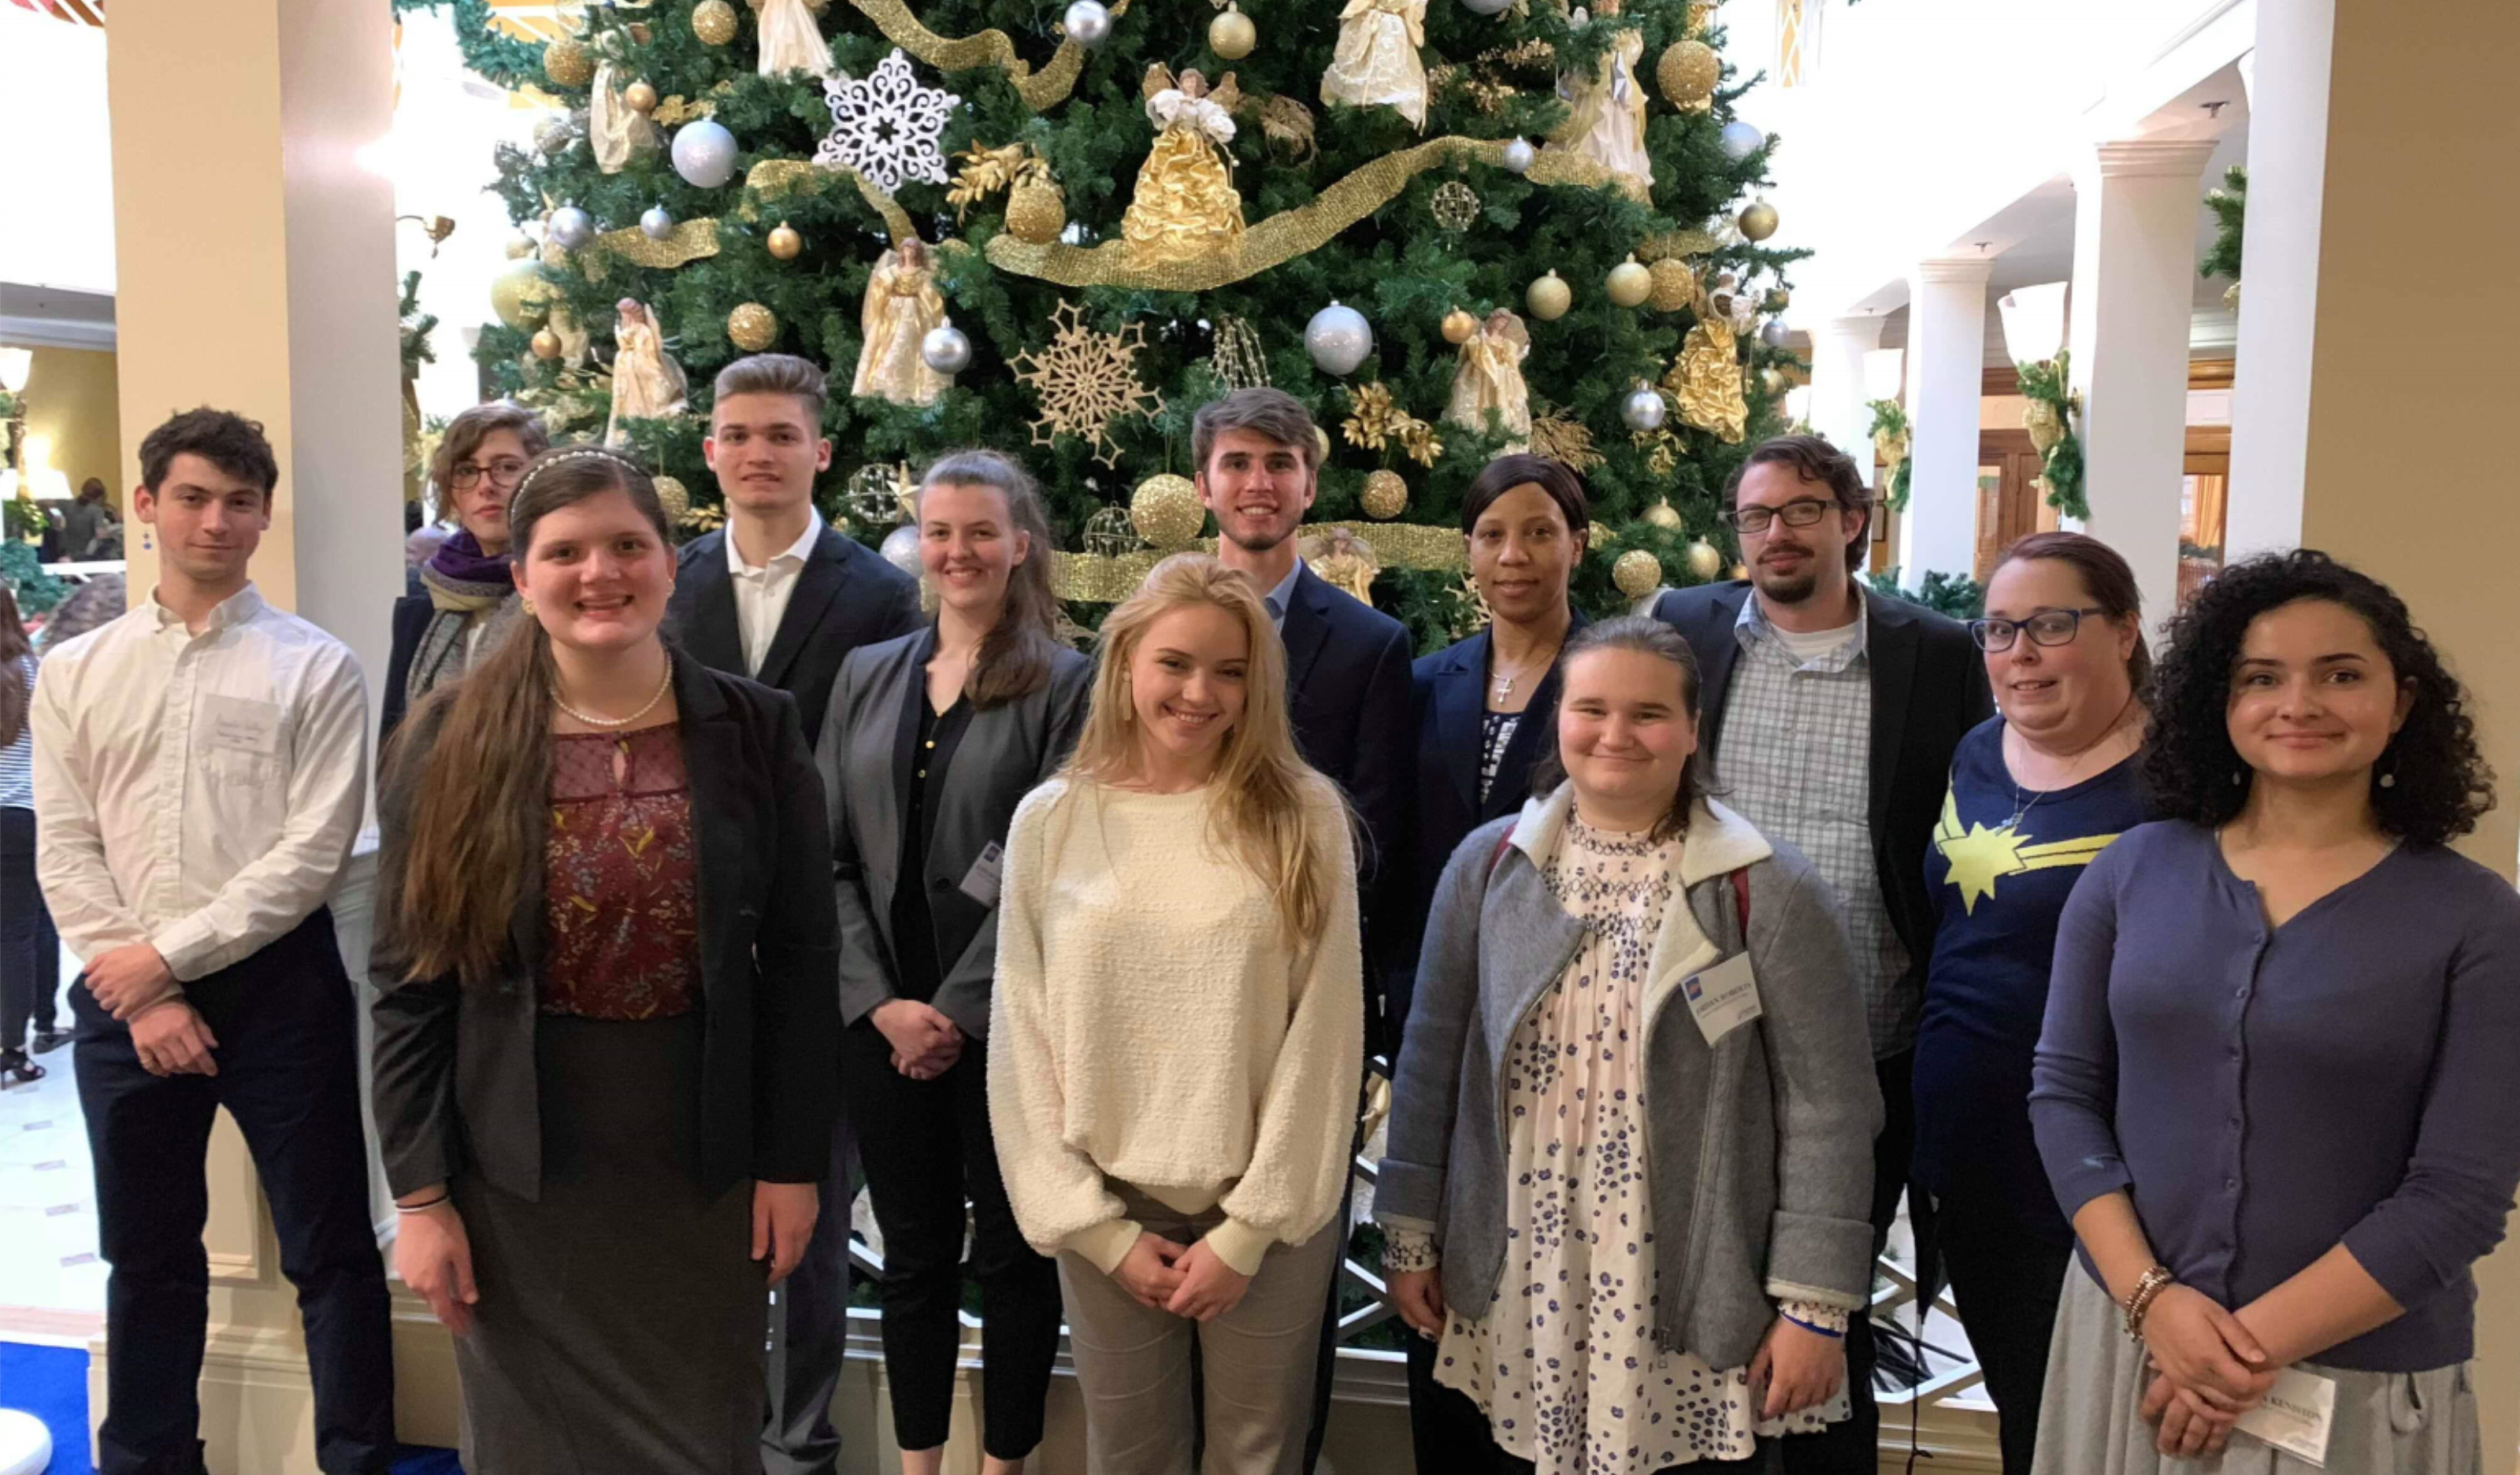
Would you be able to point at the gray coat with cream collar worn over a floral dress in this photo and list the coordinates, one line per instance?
(1760, 1148)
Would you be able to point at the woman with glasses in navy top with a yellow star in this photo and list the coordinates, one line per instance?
(2035, 793)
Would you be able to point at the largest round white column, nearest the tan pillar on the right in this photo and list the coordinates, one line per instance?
(2136, 271)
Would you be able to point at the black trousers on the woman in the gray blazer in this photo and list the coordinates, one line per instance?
(926, 1148)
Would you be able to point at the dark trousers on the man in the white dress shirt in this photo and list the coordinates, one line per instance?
(289, 1075)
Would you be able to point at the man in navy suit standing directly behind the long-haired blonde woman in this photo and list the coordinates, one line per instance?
(1347, 672)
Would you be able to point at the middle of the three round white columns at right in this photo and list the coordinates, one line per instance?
(1947, 374)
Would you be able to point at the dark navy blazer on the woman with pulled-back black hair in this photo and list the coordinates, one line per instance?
(1450, 710)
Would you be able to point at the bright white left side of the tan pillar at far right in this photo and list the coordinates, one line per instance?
(2279, 266)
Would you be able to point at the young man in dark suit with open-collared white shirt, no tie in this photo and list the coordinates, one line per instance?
(785, 599)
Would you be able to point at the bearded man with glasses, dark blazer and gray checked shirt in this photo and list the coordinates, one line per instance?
(1831, 720)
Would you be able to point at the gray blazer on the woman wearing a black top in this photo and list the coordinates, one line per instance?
(866, 760)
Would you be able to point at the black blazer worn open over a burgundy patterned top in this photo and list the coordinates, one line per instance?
(455, 1065)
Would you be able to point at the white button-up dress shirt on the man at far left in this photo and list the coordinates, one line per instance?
(198, 793)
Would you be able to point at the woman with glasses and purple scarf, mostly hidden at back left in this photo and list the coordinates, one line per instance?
(467, 594)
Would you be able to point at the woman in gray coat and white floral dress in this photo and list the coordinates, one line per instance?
(1632, 1136)
